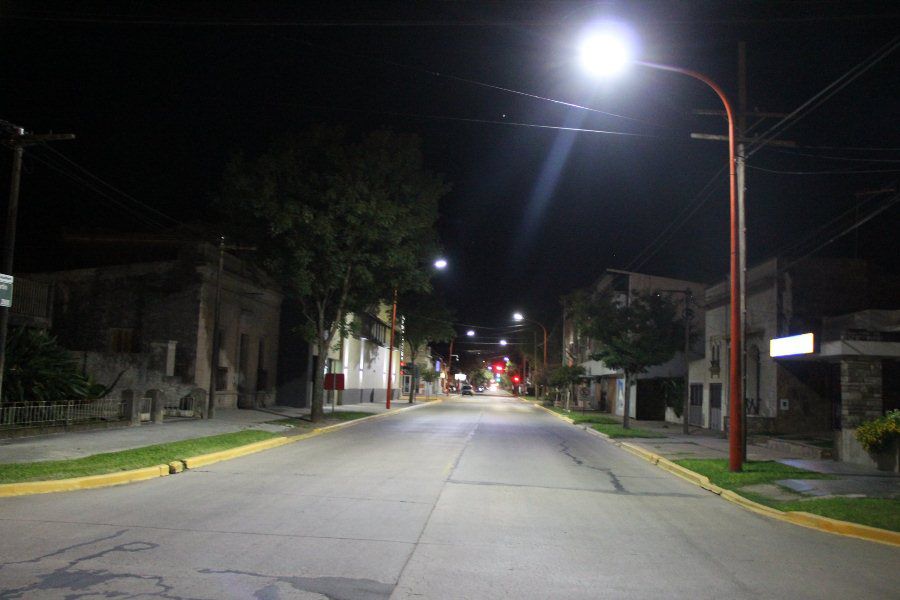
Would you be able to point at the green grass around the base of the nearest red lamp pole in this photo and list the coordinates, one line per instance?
(875, 512)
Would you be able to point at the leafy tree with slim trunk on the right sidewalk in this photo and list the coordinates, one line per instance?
(643, 331)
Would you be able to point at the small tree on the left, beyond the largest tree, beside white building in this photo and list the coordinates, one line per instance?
(426, 320)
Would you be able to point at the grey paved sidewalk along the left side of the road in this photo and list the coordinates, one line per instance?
(68, 445)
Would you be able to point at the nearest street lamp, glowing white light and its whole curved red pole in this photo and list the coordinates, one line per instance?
(607, 53)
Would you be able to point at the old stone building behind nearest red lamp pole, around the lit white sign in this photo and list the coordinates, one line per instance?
(823, 392)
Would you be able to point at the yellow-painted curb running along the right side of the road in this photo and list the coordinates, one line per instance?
(803, 519)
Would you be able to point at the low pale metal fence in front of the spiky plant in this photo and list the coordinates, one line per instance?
(23, 415)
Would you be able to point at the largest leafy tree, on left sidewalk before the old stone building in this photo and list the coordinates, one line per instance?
(340, 223)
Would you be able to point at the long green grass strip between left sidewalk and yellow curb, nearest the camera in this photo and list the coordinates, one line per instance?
(125, 460)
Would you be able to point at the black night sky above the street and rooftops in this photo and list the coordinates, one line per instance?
(161, 94)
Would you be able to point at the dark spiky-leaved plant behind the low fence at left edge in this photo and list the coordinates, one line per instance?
(38, 369)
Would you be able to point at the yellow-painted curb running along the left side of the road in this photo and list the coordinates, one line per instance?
(88, 482)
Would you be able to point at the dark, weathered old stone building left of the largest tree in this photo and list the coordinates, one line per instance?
(148, 325)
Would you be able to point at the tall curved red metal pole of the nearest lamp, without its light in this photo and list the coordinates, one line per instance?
(735, 394)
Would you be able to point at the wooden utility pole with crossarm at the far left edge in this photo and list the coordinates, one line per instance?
(17, 140)
